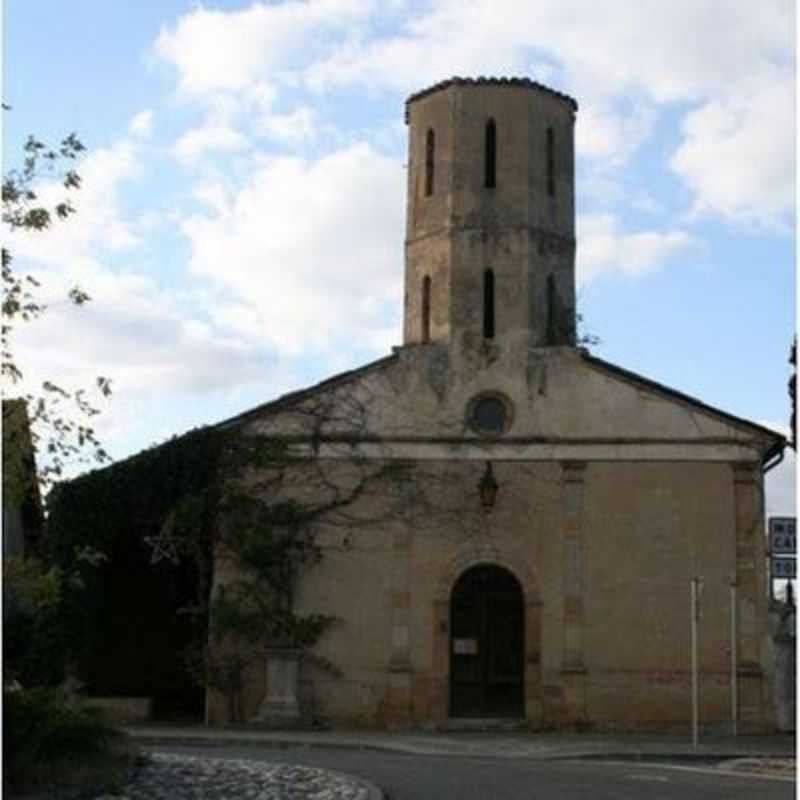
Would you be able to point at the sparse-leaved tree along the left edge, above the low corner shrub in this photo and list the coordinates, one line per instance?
(50, 422)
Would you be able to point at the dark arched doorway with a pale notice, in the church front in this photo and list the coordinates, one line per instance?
(487, 644)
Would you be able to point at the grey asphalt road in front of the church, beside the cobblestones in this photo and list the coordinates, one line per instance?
(412, 777)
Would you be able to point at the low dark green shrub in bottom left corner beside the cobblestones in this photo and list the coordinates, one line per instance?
(48, 741)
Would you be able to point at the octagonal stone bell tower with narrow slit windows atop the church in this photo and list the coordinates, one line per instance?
(490, 240)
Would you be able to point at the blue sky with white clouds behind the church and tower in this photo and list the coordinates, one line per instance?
(241, 222)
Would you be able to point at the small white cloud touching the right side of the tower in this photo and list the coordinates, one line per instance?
(603, 248)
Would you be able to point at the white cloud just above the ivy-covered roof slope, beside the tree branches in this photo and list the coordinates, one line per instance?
(156, 358)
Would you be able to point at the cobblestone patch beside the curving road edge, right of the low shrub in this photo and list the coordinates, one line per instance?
(182, 777)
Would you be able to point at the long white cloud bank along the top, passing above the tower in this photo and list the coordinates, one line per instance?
(732, 64)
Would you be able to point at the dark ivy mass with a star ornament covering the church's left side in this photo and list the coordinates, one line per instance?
(153, 517)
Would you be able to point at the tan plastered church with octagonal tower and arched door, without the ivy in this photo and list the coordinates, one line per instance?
(524, 520)
